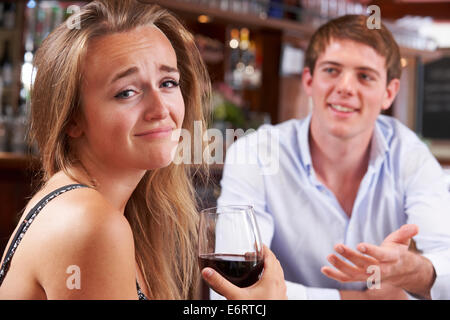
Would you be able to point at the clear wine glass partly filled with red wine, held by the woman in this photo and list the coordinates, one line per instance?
(230, 243)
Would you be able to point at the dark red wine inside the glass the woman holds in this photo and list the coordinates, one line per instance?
(241, 270)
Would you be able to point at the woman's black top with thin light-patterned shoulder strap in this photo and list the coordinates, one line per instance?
(26, 224)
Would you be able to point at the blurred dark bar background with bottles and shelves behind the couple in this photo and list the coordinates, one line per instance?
(254, 52)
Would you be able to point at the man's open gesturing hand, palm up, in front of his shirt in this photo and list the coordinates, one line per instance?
(399, 267)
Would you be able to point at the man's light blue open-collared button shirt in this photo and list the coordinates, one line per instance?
(301, 219)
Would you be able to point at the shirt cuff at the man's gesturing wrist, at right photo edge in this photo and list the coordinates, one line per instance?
(441, 264)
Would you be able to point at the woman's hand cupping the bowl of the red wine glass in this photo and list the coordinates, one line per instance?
(271, 285)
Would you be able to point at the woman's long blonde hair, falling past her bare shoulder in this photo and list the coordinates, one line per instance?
(162, 211)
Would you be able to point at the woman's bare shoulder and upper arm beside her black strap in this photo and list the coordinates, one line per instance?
(80, 229)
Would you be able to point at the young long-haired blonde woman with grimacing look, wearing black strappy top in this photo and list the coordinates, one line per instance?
(115, 218)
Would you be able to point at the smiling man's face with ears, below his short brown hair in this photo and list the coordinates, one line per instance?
(348, 89)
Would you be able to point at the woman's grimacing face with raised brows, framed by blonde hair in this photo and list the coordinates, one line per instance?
(131, 100)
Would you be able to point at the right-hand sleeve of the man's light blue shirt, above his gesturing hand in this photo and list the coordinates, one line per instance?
(427, 204)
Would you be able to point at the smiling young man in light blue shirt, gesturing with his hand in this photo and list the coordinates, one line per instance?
(353, 187)
